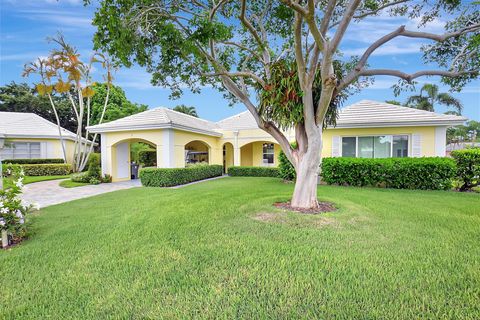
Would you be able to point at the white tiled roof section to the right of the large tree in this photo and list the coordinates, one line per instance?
(368, 113)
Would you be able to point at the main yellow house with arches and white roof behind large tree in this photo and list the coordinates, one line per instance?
(365, 129)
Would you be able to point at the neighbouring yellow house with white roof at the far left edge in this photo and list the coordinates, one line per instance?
(30, 136)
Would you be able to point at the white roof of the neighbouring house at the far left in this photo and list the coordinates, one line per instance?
(29, 125)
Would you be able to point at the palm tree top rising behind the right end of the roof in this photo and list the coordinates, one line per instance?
(429, 97)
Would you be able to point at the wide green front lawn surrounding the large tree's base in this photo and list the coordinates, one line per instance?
(205, 251)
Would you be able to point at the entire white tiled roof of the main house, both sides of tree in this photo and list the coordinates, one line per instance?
(365, 113)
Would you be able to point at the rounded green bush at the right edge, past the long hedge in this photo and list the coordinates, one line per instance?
(468, 167)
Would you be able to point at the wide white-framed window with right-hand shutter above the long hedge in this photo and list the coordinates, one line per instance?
(375, 146)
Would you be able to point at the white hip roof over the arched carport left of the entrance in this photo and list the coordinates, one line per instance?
(159, 118)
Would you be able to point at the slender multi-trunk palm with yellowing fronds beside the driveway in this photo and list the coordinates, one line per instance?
(63, 73)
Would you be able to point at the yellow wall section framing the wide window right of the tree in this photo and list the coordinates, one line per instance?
(427, 135)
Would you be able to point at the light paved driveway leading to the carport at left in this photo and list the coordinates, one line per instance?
(47, 193)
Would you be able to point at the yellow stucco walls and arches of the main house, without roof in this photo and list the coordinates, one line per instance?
(228, 148)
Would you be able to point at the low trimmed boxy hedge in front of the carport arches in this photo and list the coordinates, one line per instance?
(168, 177)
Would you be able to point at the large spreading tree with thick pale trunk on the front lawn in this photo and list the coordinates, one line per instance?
(240, 46)
